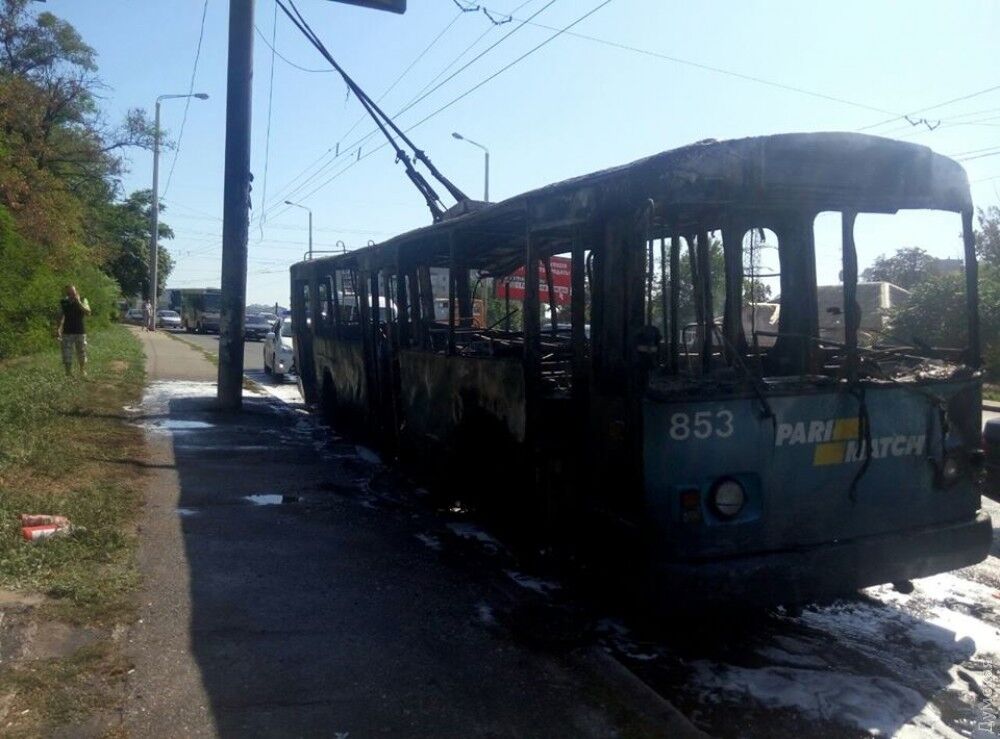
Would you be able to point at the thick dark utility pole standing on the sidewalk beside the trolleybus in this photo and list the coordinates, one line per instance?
(236, 204)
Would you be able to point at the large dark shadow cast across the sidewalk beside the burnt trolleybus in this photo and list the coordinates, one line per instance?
(314, 614)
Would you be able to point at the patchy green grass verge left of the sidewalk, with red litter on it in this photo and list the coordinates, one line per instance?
(66, 449)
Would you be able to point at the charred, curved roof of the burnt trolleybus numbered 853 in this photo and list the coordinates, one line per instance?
(693, 188)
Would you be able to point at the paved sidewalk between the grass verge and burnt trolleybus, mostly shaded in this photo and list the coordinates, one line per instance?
(283, 599)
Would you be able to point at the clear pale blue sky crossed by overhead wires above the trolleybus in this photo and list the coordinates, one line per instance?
(574, 106)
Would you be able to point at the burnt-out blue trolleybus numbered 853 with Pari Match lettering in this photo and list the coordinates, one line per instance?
(785, 469)
